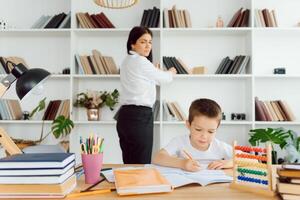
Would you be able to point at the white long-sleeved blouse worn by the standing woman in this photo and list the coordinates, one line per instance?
(139, 78)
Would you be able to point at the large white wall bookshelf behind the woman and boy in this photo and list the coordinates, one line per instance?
(201, 45)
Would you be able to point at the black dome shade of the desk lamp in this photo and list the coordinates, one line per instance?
(29, 79)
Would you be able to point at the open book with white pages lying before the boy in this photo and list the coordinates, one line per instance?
(177, 177)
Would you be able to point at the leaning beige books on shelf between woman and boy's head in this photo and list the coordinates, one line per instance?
(173, 112)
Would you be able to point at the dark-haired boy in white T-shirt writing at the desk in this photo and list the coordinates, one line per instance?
(204, 119)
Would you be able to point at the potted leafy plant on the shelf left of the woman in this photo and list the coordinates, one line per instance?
(94, 100)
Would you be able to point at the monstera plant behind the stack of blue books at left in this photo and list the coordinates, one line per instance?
(60, 128)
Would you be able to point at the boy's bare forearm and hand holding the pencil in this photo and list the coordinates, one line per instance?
(164, 159)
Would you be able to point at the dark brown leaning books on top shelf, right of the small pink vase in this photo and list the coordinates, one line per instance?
(240, 18)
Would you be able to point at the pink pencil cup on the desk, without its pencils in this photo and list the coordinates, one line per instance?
(92, 164)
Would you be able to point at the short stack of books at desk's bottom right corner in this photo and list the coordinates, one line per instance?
(288, 183)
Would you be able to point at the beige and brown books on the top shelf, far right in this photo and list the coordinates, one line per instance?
(265, 18)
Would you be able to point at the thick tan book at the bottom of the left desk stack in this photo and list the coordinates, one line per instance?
(38, 190)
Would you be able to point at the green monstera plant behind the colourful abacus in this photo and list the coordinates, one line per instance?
(285, 139)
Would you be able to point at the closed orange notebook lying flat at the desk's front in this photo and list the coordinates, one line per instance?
(140, 181)
